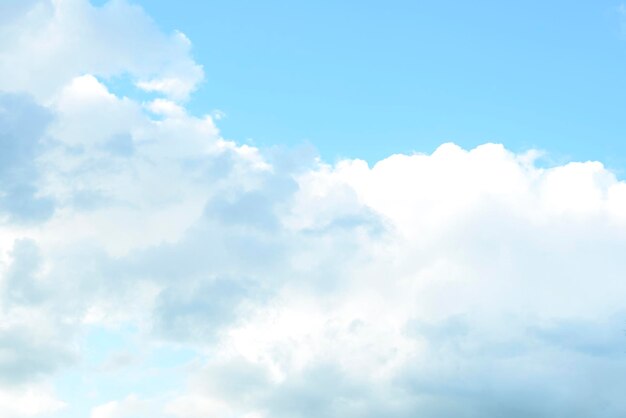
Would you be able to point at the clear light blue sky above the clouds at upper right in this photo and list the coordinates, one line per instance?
(369, 79)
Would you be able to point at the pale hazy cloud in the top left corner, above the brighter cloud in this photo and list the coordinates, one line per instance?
(70, 38)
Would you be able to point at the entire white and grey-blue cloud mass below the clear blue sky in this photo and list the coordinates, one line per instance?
(148, 267)
